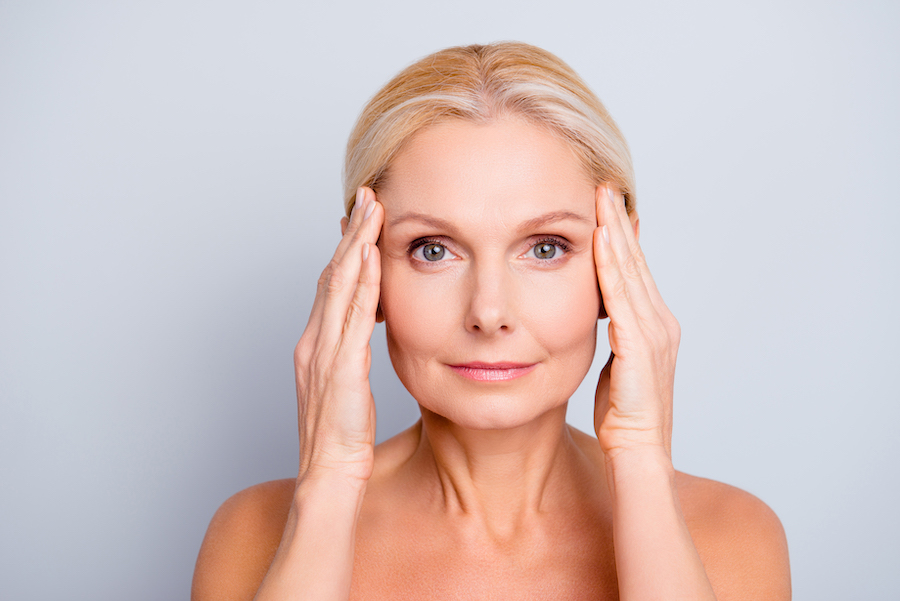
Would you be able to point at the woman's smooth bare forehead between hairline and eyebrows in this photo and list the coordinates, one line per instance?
(499, 171)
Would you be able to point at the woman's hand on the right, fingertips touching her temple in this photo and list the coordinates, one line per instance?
(633, 404)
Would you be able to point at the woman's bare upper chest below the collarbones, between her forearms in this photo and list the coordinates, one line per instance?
(421, 563)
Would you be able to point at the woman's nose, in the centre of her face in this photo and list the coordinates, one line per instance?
(490, 303)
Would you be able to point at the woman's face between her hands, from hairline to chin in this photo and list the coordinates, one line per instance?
(489, 290)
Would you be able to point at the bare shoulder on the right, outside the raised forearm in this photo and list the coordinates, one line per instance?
(739, 538)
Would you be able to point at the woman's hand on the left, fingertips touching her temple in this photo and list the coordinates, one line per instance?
(332, 360)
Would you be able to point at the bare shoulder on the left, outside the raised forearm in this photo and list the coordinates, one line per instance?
(241, 541)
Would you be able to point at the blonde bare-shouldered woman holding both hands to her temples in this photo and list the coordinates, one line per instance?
(491, 223)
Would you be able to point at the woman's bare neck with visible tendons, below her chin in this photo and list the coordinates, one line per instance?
(501, 477)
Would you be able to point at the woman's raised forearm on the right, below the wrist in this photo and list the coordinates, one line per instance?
(655, 555)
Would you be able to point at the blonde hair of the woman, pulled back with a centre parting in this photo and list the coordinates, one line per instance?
(479, 83)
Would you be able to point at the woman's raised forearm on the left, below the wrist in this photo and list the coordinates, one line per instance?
(315, 557)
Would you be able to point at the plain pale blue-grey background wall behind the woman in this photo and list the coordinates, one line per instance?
(170, 190)
